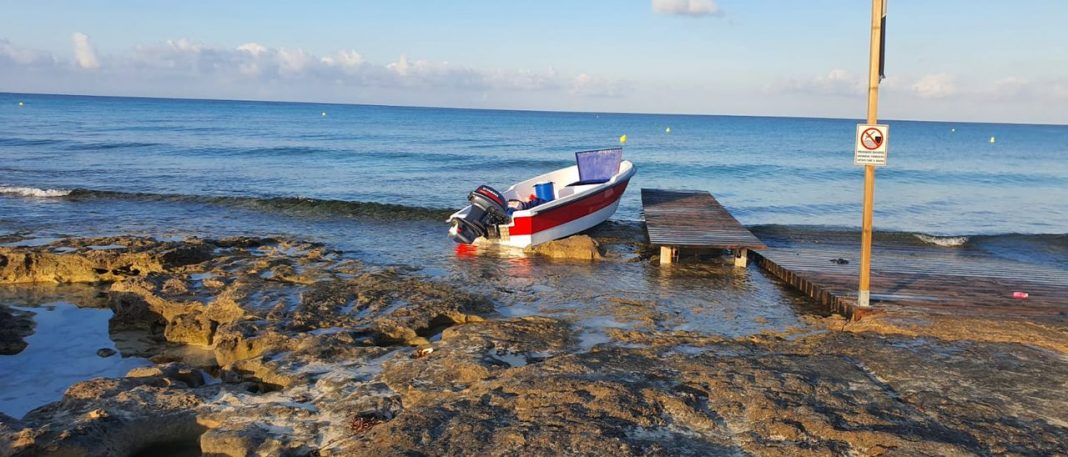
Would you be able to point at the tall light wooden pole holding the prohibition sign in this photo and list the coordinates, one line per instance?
(865, 295)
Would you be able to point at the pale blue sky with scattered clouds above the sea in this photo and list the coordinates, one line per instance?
(950, 60)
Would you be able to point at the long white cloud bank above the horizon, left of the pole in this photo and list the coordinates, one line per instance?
(191, 69)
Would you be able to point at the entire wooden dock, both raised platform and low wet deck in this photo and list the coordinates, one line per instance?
(913, 278)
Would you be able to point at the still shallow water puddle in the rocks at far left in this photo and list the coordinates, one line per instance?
(61, 352)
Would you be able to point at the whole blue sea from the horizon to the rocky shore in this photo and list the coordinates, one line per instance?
(379, 183)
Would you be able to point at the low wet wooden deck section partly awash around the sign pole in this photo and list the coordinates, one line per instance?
(923, 279)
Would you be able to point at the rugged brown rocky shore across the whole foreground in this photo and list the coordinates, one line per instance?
(310, 353)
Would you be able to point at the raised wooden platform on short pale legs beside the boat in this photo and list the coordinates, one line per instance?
(678, 219)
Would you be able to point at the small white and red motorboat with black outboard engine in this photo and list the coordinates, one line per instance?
(573, 200)
